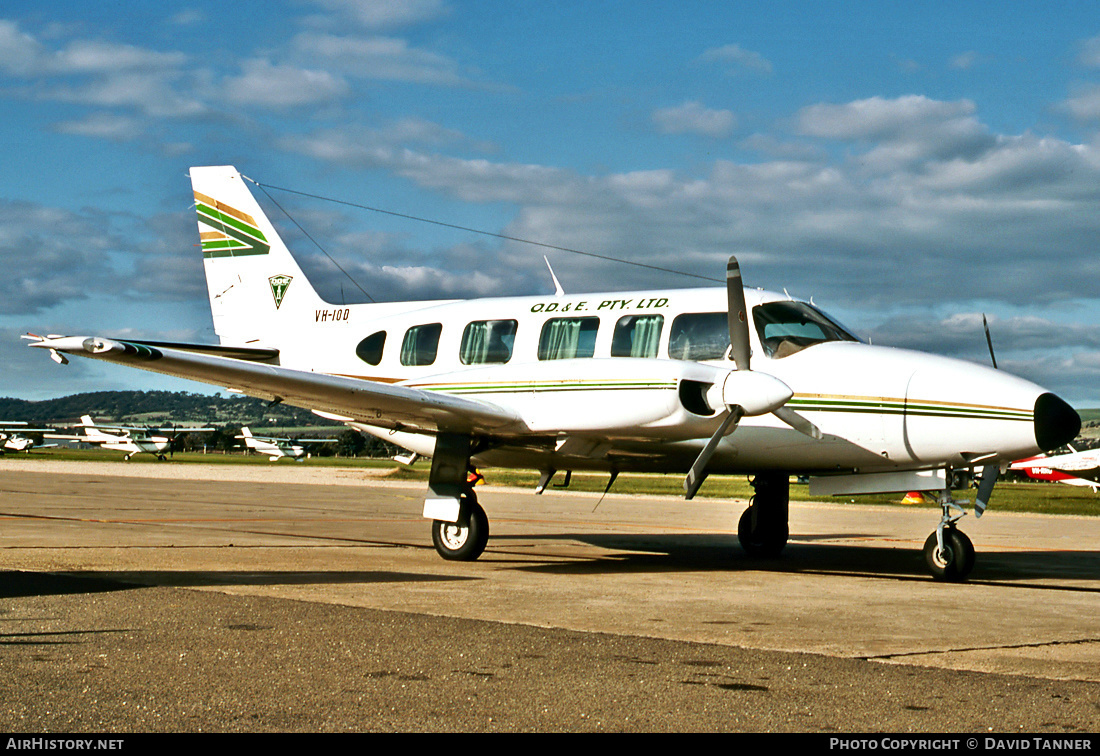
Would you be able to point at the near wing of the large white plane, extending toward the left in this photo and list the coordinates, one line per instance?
(368, 402)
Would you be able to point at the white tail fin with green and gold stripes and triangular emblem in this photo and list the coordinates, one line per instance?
(257, 289)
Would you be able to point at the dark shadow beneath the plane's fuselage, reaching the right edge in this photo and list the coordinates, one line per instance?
(663, 553)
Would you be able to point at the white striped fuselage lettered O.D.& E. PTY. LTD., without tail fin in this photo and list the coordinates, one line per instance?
(560, 365)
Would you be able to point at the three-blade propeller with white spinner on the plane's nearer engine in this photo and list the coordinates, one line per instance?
(744, 392)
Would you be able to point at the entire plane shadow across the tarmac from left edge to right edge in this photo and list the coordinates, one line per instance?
(622, 554)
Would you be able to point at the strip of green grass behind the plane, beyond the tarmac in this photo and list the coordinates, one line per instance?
(1010, 496)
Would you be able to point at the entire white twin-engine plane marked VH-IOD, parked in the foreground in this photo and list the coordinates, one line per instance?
(631, 381)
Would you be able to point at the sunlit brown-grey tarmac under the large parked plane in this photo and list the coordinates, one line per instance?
(182, 598)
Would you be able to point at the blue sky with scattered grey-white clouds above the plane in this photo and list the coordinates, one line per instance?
(909, 168)
